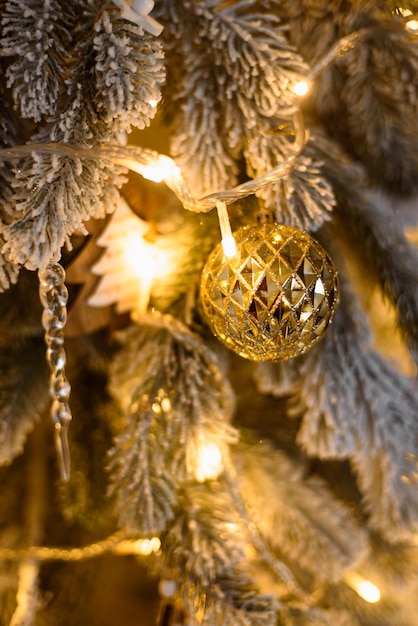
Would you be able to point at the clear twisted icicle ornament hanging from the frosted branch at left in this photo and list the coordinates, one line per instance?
(54, 296)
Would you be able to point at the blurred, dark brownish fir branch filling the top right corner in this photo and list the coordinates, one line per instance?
(367, 97)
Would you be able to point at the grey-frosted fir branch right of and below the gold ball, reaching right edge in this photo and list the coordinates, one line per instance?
(358, 407)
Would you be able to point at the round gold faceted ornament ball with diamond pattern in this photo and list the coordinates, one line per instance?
(275, 298)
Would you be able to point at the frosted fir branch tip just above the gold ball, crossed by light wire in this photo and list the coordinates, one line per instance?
(303, 199)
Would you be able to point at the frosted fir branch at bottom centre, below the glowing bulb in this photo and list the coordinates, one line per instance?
(207, 546)
